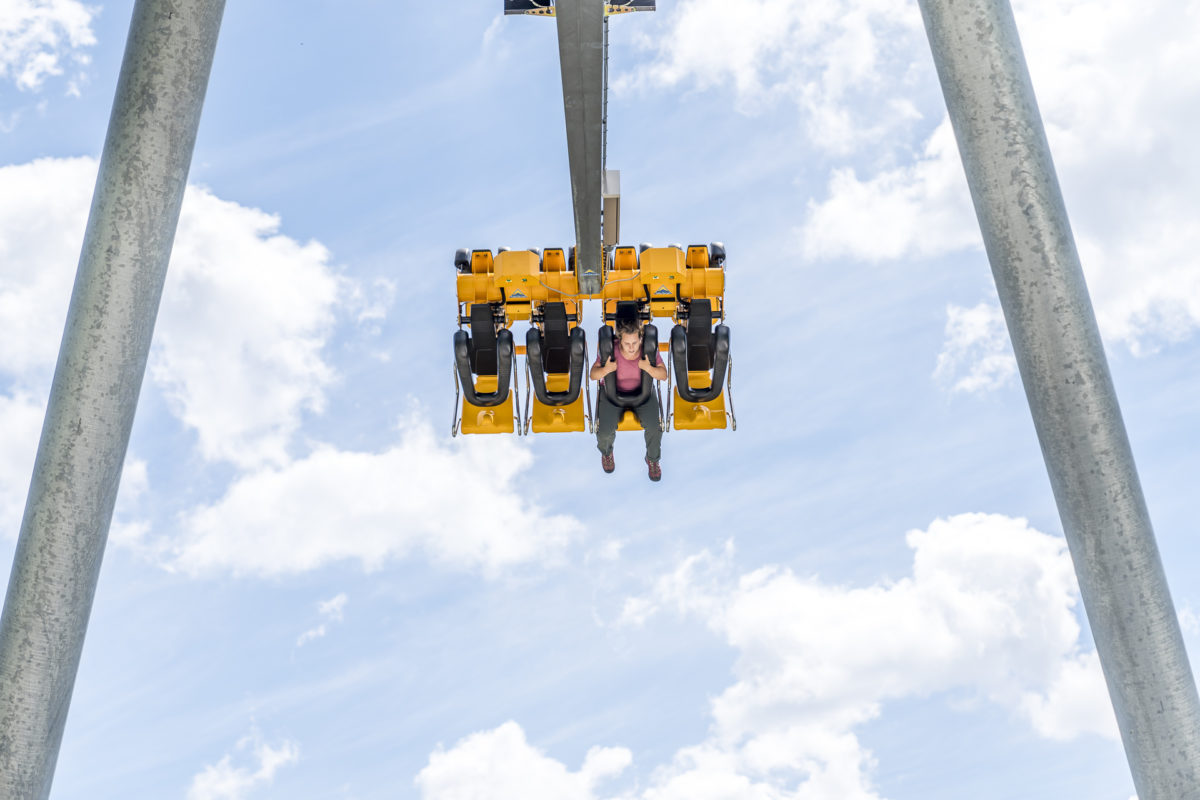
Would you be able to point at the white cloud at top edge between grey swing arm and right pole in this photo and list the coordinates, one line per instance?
(830, 59)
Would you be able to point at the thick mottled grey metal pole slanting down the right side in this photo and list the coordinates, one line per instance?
(1070, 390)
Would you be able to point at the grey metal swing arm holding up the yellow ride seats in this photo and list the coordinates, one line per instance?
(581, 59)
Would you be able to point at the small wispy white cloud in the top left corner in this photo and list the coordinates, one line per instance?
(39, 37)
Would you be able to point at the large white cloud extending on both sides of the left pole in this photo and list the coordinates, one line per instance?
(245, 311)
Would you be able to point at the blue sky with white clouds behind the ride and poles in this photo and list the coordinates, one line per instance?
(313, 591)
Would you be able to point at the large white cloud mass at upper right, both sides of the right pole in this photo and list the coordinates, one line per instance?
(859, 73)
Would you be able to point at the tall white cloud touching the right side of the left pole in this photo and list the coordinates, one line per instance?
(245, 315)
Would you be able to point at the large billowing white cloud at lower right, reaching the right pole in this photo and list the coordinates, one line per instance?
(988, 612)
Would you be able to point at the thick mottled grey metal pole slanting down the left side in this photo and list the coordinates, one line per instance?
(123, 266)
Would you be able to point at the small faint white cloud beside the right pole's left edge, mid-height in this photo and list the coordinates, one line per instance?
(976, 344)
